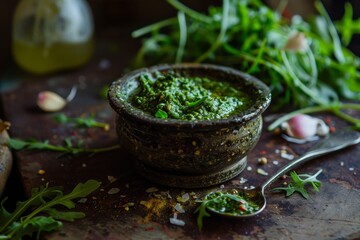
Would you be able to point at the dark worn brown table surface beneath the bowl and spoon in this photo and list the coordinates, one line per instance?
(136, 212)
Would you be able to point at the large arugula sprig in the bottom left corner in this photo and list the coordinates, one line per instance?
(39, 213)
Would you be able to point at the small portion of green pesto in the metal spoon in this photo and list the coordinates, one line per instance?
(230, 203)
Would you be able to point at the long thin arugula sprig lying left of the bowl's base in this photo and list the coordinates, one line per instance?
(67, 148)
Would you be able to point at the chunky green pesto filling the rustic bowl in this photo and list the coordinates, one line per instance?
(188, 98)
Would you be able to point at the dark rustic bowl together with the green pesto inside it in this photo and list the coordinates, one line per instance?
(188, 125)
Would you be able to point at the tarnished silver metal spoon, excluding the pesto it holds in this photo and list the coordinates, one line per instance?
(333, 142)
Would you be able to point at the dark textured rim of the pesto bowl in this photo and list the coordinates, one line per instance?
(124, 107)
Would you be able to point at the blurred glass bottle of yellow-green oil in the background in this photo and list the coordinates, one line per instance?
(52, 35)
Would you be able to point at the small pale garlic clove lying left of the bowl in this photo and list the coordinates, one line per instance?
(50, 101)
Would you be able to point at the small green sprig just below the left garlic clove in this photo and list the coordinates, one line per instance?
(86, 122)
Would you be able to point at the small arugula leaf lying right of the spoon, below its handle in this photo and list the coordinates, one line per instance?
(299, 183)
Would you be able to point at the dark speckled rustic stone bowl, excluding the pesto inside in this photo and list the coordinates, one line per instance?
(189, 154)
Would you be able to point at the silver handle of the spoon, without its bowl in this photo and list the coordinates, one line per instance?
(333, 142)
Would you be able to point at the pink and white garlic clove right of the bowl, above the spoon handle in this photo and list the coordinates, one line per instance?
(304, 126)
